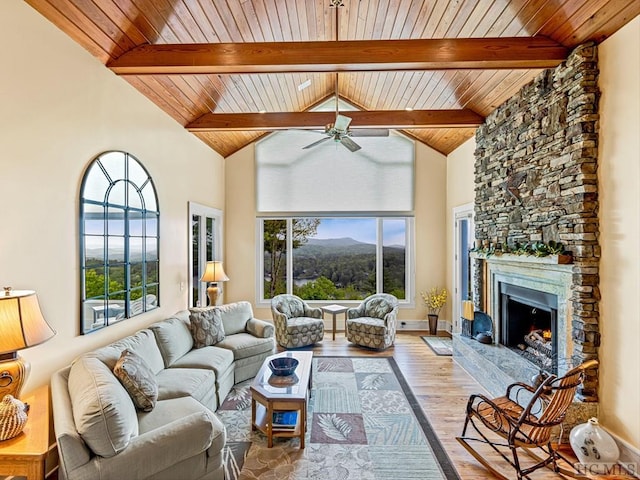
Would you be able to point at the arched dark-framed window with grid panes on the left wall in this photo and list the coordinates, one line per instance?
(119, 235)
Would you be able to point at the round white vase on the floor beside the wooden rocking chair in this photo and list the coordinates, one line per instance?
(594, 447)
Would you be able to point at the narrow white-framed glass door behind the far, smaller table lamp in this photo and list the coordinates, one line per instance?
(206, 245)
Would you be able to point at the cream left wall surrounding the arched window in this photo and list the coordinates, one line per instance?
(60, 108)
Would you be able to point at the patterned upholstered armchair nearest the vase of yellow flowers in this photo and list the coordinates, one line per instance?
(373, 323)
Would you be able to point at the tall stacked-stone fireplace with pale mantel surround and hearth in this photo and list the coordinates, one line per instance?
(536, 181)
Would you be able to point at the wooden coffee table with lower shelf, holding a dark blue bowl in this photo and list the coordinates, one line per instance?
(270, 393)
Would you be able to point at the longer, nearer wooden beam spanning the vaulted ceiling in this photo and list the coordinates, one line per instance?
(342, 56)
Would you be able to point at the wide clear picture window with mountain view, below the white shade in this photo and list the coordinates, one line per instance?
(336, 258)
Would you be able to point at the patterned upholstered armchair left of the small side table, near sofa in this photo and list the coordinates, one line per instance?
(297, 324)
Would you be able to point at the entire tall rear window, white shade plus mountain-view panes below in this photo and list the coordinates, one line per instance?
(334, 224)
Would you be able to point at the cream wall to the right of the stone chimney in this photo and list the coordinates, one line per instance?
(619, 191)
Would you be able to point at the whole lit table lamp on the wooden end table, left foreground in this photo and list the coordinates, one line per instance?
(21, 326)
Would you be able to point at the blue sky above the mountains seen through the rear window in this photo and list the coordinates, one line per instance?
(362, 229)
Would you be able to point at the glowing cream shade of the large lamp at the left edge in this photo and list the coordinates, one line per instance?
(21, 322)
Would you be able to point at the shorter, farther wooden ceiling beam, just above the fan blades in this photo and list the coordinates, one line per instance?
(398, 119)
